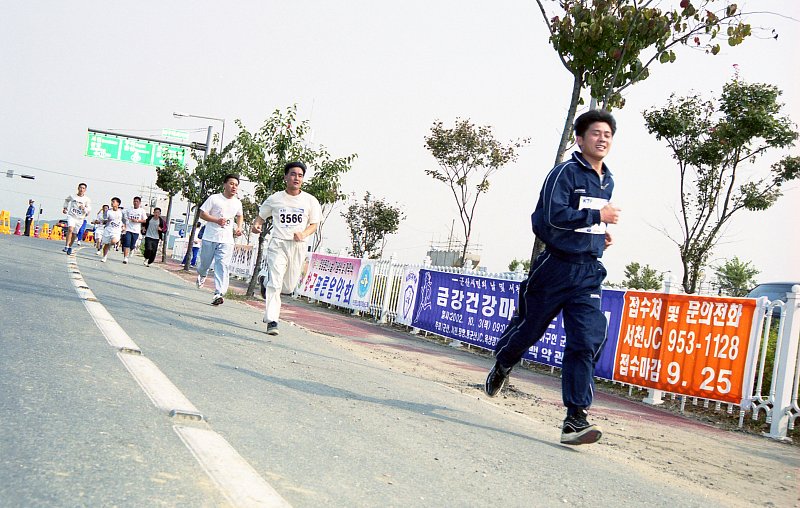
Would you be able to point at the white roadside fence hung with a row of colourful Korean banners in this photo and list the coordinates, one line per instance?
(704, 347)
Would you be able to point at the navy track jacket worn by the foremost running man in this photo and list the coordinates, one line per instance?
(559, 216)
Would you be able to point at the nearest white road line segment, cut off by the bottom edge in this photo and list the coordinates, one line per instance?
(234, 476)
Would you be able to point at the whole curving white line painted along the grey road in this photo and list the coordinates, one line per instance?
(233, 475)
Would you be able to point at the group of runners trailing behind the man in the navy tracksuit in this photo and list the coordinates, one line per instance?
(295, 216)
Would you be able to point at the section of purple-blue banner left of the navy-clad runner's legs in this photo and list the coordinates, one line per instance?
(468, 308)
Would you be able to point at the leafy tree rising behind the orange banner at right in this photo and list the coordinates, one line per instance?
(716, 145)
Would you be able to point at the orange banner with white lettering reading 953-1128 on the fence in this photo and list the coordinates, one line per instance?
(687, 344)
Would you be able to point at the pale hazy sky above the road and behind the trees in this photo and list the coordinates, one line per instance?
(372, 77)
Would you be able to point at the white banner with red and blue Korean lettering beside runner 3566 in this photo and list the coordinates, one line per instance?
(330, 279)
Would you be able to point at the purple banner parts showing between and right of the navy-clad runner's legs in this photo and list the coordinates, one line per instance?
(549, 350)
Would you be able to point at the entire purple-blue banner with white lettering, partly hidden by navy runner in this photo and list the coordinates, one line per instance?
(477, 310)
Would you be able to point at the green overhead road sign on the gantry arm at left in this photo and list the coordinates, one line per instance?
(137, 151)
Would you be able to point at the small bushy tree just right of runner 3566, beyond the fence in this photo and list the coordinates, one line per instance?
(369, 223)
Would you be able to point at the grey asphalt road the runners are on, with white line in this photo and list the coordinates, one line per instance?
(290, 420)
